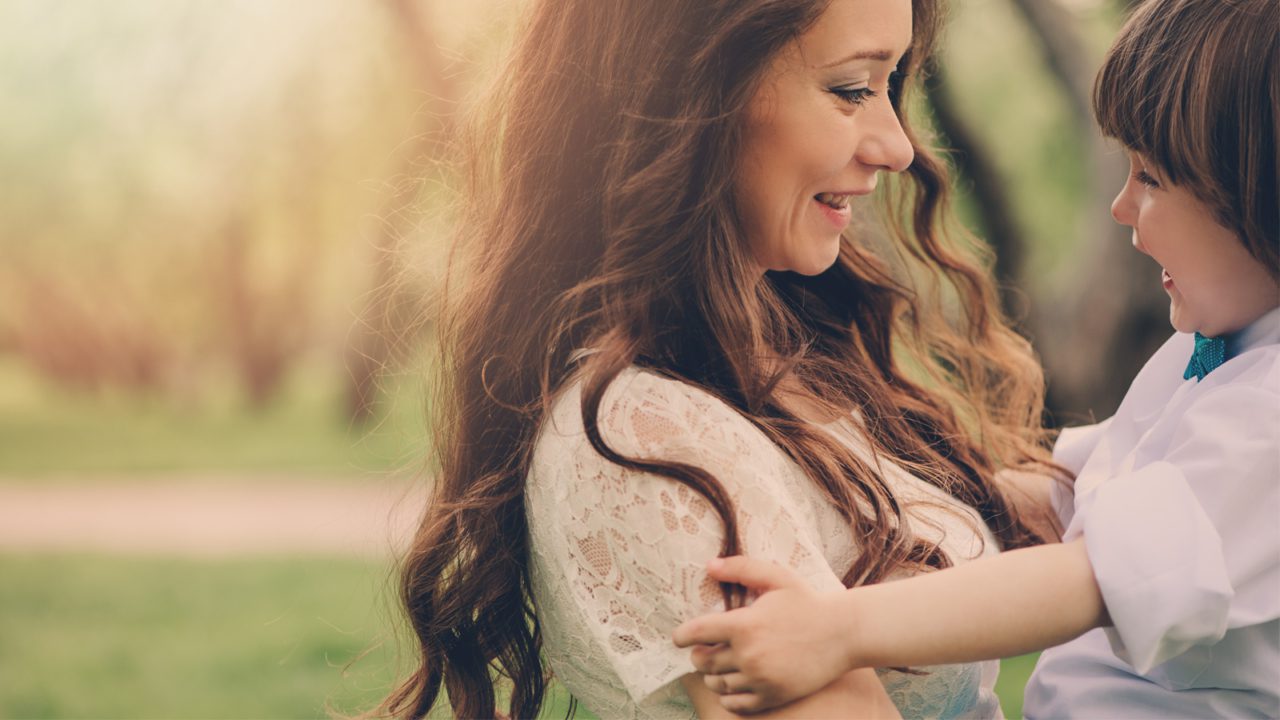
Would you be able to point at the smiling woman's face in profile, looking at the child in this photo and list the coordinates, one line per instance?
(819, 131)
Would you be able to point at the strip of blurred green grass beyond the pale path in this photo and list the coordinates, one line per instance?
(52, 431)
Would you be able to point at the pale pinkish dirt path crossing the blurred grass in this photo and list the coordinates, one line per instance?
(211, 517)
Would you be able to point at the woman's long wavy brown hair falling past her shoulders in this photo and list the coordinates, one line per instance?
(598, 212)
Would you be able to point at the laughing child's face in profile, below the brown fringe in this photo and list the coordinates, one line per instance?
(1214, 285)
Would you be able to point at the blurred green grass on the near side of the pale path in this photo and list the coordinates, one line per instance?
(134, 637)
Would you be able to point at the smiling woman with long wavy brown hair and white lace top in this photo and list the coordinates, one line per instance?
(669, 345)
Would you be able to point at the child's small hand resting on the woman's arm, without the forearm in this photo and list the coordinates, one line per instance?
(787, 645)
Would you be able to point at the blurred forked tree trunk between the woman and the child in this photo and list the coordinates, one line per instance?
(1095, 335)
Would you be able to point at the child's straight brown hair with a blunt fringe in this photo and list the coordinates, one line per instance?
(1192, 85)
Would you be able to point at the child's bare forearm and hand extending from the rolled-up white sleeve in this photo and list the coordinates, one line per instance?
(794, 641)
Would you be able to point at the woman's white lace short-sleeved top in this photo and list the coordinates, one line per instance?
(619, 557)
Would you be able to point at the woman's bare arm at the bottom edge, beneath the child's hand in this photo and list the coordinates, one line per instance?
(854, 695)
